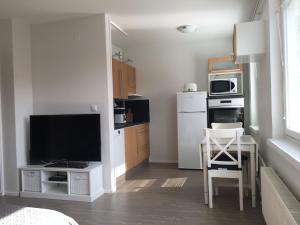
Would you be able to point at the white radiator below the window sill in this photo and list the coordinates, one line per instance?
(279, 205)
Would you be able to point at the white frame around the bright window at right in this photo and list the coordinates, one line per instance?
(289, 132)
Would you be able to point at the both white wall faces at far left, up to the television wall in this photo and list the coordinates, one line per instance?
(16, 98)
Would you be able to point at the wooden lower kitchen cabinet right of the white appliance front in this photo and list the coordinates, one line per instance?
(137, 148)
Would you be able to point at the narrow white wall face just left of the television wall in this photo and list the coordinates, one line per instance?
(22, 87)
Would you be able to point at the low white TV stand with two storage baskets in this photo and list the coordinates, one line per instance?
(81, 184)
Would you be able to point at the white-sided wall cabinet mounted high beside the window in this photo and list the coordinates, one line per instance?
(248, 41)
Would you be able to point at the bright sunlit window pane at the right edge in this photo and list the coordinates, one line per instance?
(292, 68)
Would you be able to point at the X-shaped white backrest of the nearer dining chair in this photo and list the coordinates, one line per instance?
(221, 140)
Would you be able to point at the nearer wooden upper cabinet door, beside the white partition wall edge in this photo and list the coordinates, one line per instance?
(120, 87)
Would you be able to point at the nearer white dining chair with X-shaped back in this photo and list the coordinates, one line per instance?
(223, 164)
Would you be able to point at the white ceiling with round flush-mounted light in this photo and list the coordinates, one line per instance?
(146, 21)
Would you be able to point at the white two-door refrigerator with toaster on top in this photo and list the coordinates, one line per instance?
(191, 121)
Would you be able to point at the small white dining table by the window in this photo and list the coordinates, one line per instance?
(248, 145)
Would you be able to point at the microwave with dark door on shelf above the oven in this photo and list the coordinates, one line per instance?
(225, 86)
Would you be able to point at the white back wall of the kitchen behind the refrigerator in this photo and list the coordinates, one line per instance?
(162, 71)
